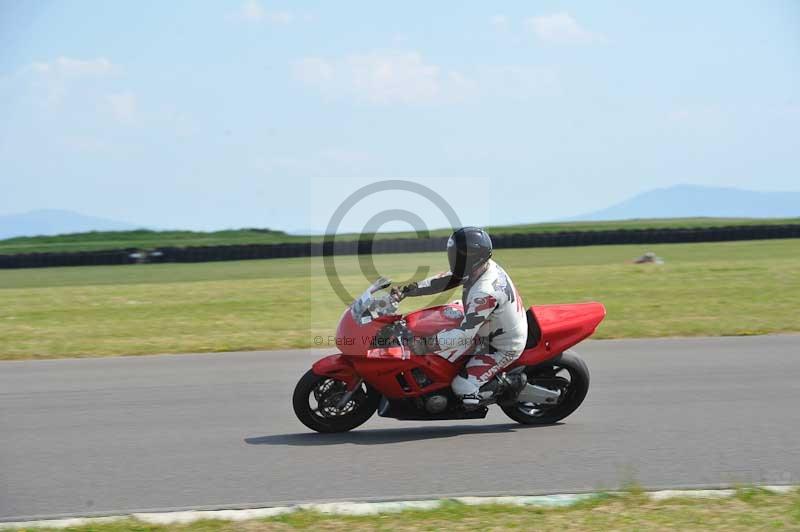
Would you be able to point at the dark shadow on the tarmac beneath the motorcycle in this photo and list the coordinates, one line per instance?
(383, 436)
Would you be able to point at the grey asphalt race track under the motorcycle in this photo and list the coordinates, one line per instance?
(114, 435)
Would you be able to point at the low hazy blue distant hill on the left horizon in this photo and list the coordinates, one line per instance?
(55, 222)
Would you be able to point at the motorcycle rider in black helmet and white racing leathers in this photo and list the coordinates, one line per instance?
(494, 329)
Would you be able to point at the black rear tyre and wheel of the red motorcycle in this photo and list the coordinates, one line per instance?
(568, 374)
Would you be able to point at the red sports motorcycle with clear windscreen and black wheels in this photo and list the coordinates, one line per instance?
(375, 369)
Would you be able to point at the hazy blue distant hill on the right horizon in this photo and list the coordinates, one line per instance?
(683, 201)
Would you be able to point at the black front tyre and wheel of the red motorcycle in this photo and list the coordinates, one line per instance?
(316, 403)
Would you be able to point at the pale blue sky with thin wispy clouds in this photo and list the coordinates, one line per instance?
(208, 115)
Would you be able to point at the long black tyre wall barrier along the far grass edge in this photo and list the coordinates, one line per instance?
(398, 245)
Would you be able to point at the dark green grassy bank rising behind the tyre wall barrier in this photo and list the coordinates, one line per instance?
(143, 239)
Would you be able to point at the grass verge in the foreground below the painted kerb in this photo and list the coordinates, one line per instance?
(750, 509)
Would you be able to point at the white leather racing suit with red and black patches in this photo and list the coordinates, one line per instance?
(494, 324)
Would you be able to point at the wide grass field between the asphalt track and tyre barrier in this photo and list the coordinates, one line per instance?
(732, 288)
